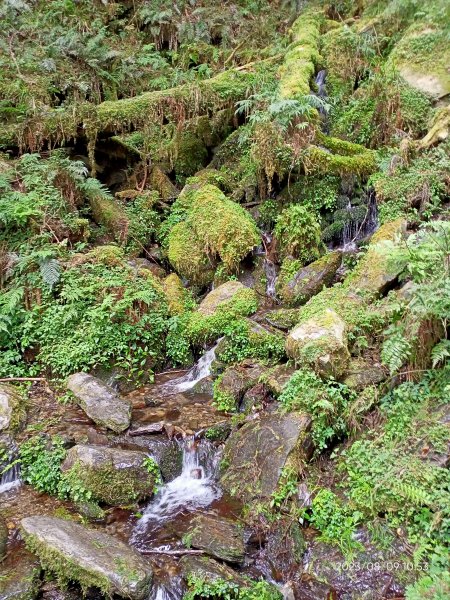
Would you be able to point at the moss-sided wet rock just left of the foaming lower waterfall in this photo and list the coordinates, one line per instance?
(113, 476)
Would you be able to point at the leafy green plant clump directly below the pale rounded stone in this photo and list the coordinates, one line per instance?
(325, 402)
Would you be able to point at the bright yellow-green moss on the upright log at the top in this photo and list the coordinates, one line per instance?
(301, 58)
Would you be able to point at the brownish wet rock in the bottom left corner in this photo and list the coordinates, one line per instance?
(20, 578)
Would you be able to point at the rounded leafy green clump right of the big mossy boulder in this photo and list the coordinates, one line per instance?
(298, 234)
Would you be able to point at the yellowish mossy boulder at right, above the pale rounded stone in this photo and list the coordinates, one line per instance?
(376, 272)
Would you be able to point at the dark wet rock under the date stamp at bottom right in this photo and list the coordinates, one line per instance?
(368, 576)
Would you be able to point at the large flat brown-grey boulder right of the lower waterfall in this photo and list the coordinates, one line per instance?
(254, 456)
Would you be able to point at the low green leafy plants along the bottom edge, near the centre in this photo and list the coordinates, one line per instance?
(199, 587)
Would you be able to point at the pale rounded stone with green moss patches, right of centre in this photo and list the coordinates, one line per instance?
(320, 343)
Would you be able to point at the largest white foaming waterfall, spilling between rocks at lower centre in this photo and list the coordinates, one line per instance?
(195, 488)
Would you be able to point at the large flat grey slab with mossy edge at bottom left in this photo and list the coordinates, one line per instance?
(94, 559)
